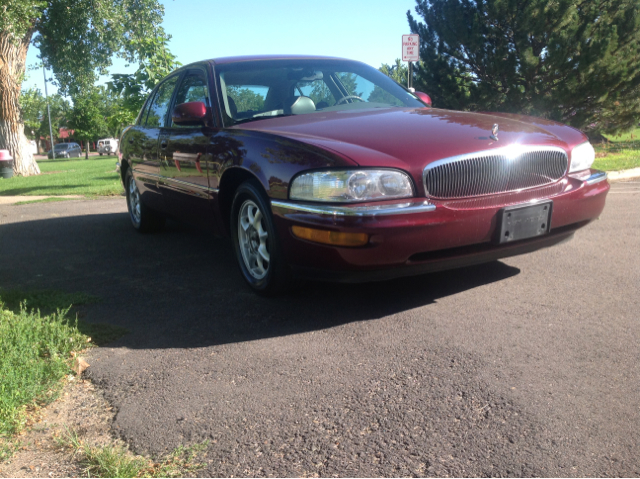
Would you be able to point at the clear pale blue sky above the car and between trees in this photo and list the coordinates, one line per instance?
(366, 30)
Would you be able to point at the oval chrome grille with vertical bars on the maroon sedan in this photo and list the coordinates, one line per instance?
(494, 171)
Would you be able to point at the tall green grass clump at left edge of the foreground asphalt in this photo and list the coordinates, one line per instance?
(38, 334)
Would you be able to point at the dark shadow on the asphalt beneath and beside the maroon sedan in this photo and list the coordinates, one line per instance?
(182, 288)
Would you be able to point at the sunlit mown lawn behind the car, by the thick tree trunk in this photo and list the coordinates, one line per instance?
(93, 177)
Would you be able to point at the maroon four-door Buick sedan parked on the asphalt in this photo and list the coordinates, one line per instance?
(325, 168)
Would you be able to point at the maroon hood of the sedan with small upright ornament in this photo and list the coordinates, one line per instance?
(411, 138)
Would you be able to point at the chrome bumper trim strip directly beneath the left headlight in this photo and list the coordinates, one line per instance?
(376, 210)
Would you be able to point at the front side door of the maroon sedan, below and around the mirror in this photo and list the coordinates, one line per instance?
(185, 158)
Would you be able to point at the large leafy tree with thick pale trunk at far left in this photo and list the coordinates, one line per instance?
(77, 40)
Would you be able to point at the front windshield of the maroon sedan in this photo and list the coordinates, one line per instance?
(255, 90)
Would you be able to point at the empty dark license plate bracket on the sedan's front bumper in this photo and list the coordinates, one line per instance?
(524, 221)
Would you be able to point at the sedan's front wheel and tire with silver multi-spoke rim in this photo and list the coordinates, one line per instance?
(256, 243)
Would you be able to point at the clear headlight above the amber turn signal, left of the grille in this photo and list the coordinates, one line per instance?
(351, 186)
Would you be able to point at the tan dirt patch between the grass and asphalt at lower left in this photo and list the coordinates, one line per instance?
(79, 408)
